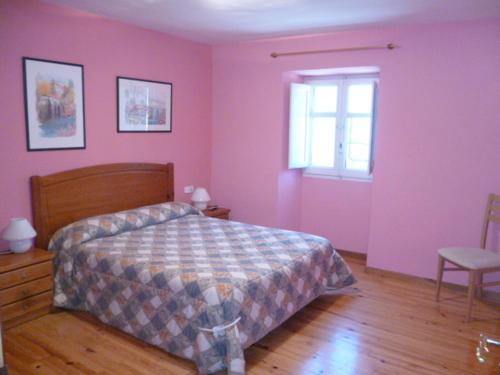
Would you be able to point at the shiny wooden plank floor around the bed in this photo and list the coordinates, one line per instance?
(386, 325)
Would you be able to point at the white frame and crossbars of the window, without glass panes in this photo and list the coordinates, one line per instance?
(339, 171)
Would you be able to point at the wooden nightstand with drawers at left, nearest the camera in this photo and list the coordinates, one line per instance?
(26, 286)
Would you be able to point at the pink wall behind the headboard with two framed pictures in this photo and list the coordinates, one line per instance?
(106, 49)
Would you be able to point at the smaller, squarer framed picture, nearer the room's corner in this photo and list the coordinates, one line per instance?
(144, 106)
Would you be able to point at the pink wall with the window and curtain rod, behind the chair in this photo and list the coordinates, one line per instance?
(438, 140)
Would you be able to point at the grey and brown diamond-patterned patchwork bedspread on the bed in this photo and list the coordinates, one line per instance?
(198, 287)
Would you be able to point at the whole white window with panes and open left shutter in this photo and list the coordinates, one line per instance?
(331, 126)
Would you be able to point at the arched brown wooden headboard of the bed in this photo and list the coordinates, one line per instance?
(62, 198)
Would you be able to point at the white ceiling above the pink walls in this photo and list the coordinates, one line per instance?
(219, 21)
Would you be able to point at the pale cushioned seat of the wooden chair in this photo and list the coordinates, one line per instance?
(472, 258)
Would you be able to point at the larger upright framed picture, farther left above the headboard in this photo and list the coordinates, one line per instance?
(54, 105)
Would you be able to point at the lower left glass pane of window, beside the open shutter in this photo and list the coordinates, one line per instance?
(323, 142)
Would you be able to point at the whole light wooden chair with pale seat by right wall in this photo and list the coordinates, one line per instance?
(477, 261)
